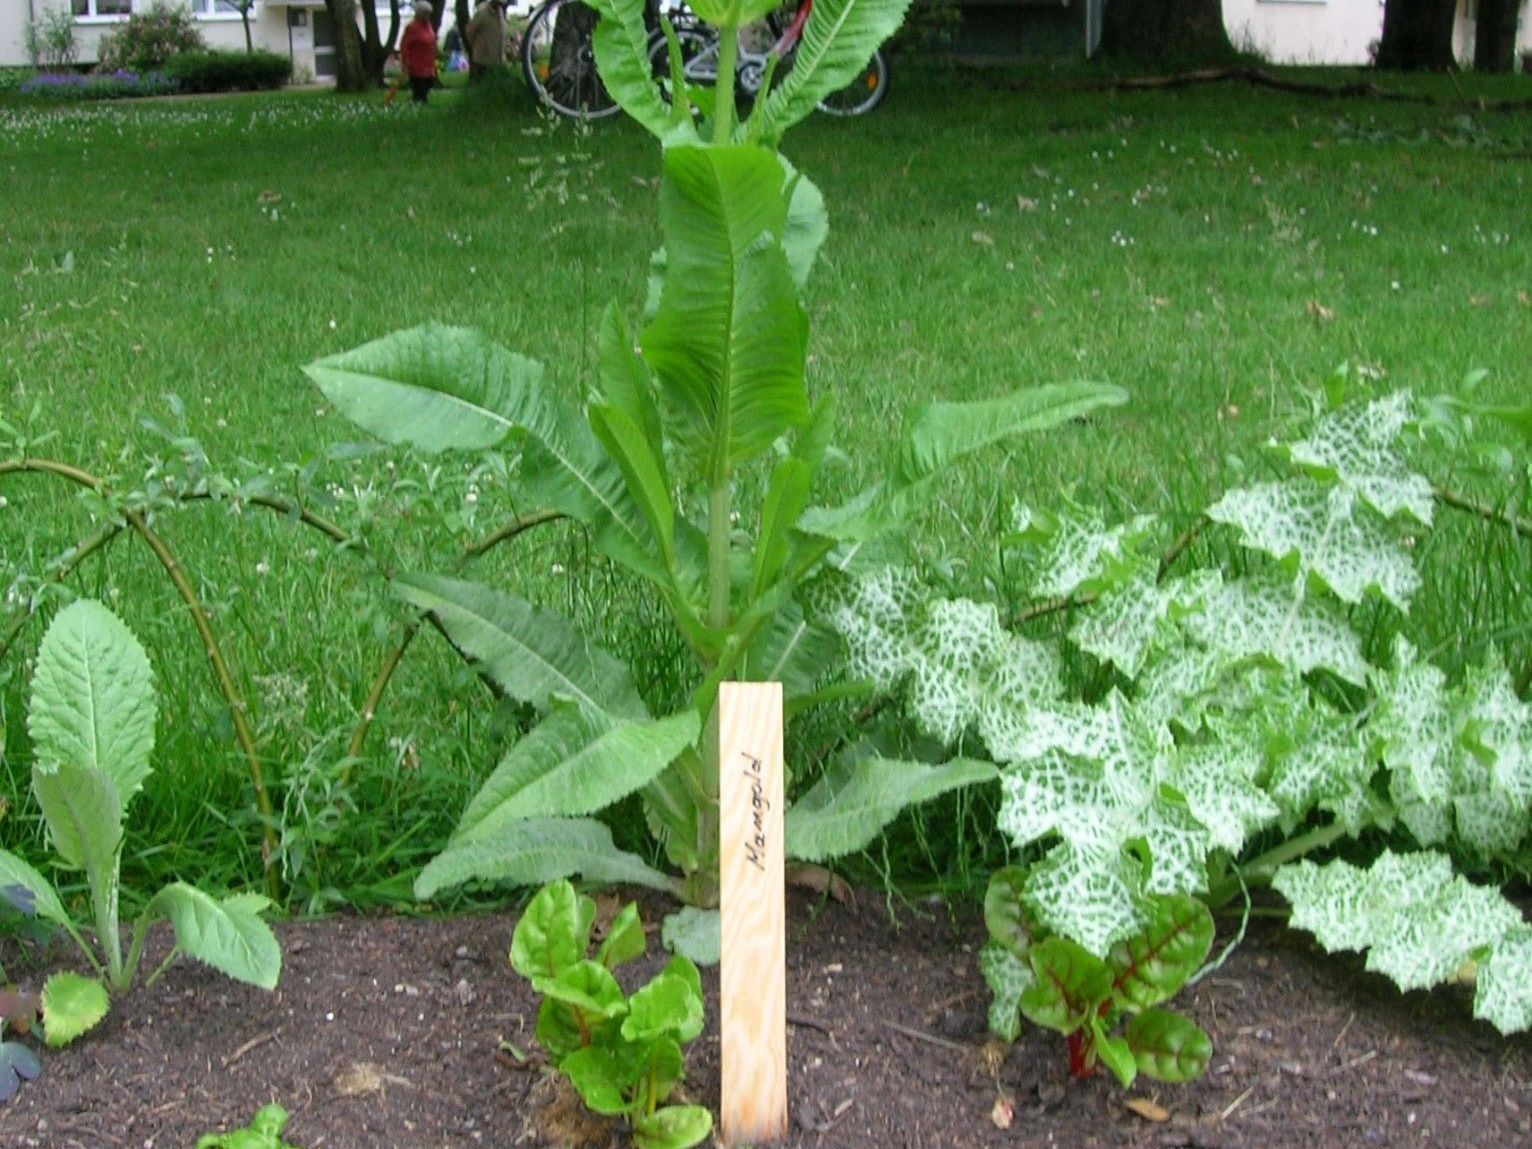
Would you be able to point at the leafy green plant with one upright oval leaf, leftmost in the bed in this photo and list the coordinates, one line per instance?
(93, 727)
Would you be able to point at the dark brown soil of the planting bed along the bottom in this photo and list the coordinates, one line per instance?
(384, 1036)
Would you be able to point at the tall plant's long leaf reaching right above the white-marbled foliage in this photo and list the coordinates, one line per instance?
(943, 433)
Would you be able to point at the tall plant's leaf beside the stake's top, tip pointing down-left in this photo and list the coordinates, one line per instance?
(575, 762)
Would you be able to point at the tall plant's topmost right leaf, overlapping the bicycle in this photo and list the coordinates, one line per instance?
(837, 44)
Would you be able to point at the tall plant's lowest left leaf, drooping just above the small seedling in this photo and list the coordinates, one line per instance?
(537, 853)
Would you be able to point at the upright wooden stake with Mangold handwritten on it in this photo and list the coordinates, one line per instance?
(753, 974)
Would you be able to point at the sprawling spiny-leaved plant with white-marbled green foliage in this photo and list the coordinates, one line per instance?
(1232, 710)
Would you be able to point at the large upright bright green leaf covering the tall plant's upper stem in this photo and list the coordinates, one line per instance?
(730, 338)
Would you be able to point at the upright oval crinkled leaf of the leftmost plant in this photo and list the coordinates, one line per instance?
(94, 698)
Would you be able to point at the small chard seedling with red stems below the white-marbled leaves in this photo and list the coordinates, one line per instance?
(1061, 986)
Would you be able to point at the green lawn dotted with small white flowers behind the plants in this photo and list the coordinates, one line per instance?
(1216, 250)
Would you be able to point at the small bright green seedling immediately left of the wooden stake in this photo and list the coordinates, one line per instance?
(621, 1053)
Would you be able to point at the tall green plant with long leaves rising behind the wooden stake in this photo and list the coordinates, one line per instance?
(709, 404)
